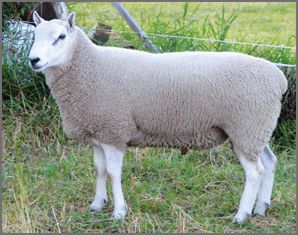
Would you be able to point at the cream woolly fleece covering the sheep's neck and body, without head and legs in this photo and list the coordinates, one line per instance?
(195, 100)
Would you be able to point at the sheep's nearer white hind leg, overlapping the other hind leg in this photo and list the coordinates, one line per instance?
(253, 176)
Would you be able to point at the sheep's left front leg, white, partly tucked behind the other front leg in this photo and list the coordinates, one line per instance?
(101, 178)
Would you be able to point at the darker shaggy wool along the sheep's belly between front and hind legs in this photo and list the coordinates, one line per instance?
(211, 138)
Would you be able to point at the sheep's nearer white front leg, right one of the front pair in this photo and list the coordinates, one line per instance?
(114, 159)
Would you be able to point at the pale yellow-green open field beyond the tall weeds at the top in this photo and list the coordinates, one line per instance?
(254, 19)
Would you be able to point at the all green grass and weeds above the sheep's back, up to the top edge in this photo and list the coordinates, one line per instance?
(269, 23)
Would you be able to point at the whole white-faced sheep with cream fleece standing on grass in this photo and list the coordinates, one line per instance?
(114, 98)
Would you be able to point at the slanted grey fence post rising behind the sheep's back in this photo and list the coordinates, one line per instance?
(134, 25)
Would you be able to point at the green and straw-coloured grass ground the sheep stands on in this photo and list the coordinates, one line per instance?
(48, 184)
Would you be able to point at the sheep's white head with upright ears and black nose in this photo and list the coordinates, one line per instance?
(51, 43)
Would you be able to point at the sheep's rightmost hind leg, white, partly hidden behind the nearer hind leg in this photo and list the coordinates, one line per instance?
(264, 195)
